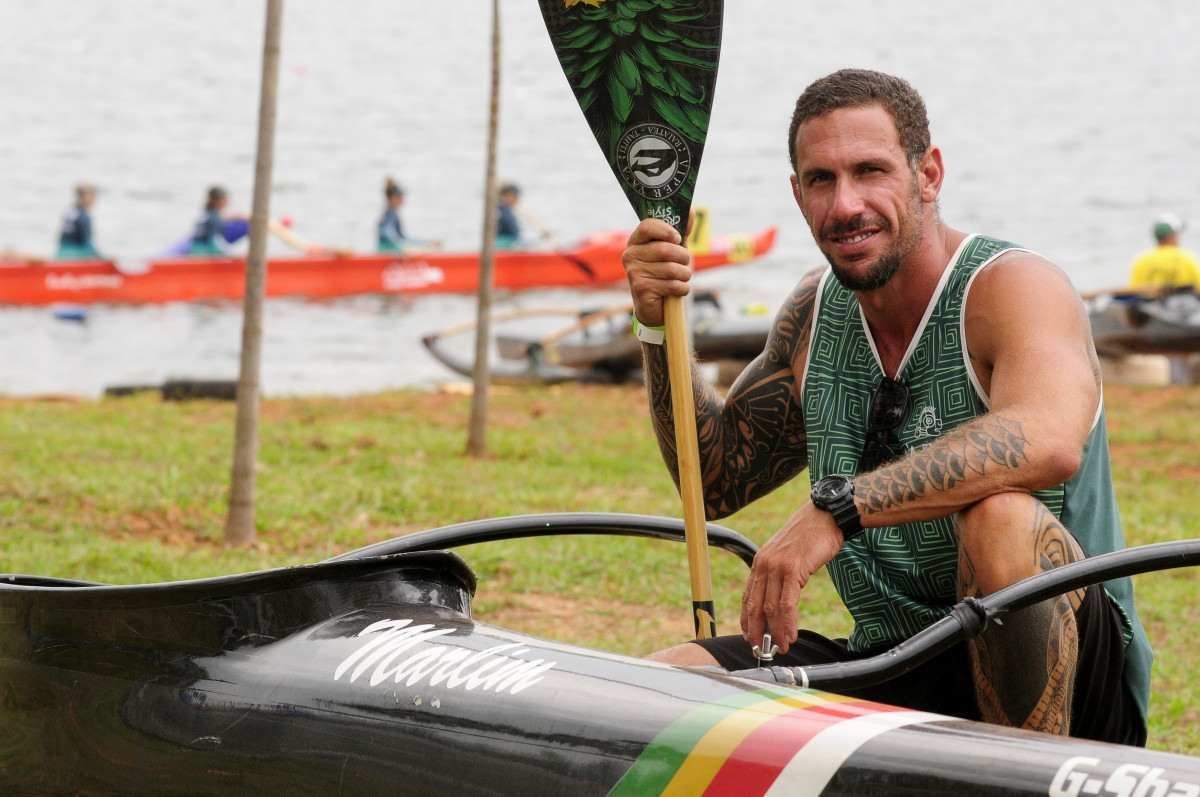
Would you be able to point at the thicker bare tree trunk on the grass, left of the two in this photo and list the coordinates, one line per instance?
(241, 523)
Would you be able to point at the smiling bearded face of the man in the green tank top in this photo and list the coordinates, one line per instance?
(856, 189)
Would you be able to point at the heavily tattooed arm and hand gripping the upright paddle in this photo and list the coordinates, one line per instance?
(753, 441)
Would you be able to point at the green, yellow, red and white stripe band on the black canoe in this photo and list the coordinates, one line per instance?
(739, 745)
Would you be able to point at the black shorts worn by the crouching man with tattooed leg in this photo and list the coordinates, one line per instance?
(1102, 706)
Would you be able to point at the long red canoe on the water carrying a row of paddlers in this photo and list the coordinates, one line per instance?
(596, 262)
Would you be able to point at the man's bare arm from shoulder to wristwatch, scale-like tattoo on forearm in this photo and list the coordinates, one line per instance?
(1031, 346)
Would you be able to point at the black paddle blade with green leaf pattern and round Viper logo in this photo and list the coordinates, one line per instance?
(644, 74)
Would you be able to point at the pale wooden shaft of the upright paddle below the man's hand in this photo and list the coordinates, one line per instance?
(688, 451)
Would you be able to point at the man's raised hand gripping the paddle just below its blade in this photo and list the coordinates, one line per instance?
(658, 266)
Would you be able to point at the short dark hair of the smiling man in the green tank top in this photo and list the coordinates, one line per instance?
(859, 88)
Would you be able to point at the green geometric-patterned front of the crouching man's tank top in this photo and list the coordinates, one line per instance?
(895, 580)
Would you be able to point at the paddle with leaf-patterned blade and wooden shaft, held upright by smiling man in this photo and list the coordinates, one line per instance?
(644, 74)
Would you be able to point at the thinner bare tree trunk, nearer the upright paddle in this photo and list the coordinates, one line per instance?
(477, 434)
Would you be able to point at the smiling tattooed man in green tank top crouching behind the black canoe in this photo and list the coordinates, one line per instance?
(944, 393)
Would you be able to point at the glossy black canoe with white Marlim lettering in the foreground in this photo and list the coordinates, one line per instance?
(369, 675)
